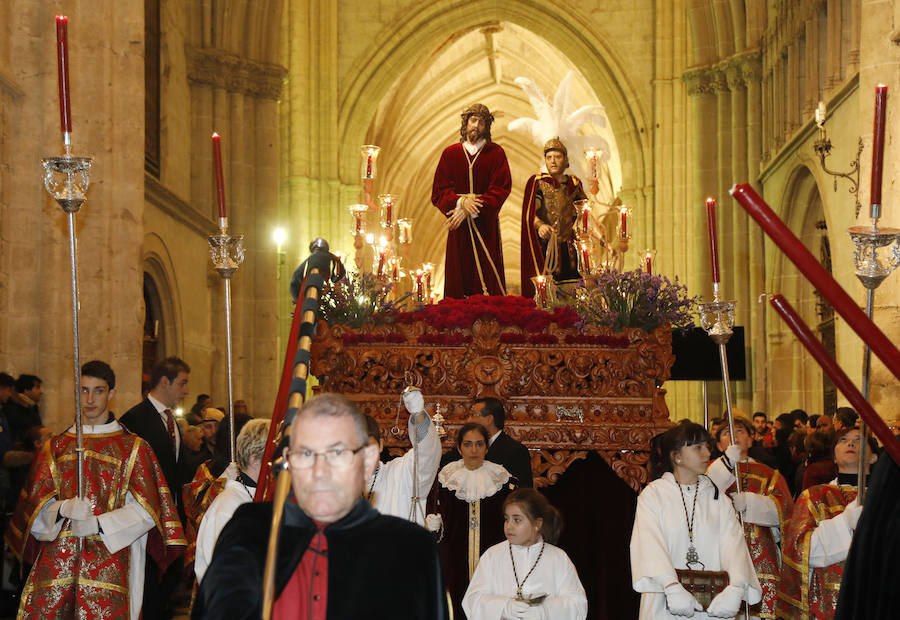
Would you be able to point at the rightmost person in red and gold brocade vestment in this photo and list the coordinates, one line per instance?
(817, 537)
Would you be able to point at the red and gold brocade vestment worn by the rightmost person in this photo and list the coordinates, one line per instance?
(803, 595)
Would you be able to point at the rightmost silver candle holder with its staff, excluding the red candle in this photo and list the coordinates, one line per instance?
(872, 269)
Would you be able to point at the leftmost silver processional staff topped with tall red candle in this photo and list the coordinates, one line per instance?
(70, 194)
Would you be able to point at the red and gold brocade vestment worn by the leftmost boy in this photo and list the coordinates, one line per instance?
(62, 582)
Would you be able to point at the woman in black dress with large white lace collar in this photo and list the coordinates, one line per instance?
(465, 509)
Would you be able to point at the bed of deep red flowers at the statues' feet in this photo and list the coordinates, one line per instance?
(508, 311)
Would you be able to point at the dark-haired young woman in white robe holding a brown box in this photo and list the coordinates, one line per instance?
(684, 522)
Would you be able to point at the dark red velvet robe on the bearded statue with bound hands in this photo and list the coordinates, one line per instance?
(492, 182)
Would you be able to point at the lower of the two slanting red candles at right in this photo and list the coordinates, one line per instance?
(837, 376)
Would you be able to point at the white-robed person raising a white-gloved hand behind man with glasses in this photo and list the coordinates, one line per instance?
(400, 486)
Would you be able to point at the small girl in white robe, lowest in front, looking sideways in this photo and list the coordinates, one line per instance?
(526, 567)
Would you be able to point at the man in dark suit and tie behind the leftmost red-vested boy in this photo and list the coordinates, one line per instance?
(153, 420)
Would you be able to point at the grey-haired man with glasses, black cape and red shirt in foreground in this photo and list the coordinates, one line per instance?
(337, 555)
